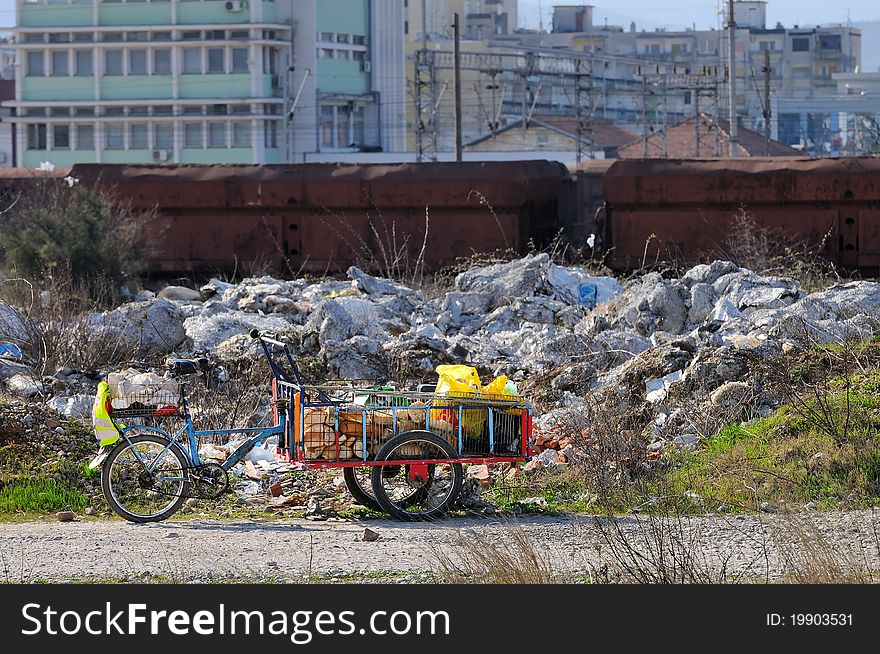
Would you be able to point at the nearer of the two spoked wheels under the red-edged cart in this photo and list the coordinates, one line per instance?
(417, 491)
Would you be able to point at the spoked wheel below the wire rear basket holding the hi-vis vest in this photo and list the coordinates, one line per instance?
(145, 479)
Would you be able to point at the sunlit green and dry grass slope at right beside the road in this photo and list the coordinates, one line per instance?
(787, 457)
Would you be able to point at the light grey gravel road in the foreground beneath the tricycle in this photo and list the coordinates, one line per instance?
(201, 550)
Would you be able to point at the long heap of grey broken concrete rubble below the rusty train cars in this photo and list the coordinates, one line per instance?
(565, 331)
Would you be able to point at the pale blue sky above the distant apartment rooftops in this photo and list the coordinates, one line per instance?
(679, 14)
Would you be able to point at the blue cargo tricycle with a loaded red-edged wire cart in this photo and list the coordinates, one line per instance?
(410, 444)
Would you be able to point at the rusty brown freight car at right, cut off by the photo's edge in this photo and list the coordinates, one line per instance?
(662, 210)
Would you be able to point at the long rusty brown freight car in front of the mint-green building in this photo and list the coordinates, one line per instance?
(317, 217)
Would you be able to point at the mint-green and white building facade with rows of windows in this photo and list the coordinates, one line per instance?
(200, 81)
